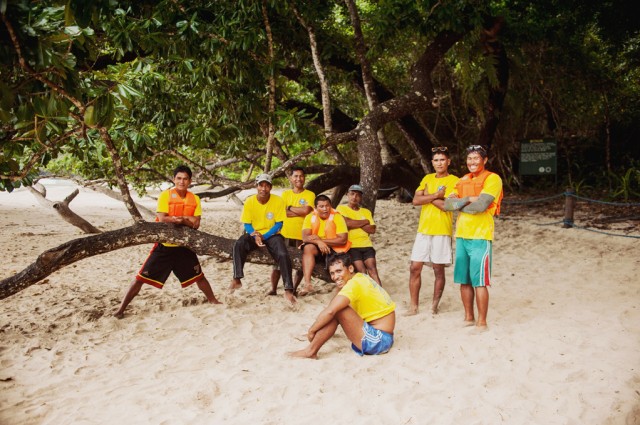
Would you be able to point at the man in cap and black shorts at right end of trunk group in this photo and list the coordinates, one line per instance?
(360, 224)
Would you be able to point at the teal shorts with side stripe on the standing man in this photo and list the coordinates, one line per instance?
(473, 262)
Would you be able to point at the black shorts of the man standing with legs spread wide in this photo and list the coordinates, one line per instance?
(163, 260)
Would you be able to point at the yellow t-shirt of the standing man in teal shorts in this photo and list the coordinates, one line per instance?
(481, 225)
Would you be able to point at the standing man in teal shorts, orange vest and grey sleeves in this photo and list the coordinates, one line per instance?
(477, 196)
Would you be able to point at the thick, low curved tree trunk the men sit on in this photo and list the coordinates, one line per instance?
(138, 234)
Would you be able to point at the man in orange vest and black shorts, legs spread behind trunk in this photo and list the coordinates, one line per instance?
(180, 207)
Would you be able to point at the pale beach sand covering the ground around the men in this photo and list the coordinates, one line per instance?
(563, 345)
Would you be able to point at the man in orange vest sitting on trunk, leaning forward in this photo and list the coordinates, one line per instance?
(324, 231)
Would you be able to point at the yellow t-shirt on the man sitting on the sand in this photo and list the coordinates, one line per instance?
(367, 298)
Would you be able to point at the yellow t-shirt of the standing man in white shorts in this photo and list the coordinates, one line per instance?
(434, 221)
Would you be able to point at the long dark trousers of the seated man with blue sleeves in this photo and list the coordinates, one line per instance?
(276, 247)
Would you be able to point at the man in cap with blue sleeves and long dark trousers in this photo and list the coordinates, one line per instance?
(262, 216)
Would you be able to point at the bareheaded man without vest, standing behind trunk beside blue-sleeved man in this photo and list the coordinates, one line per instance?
(298, 202)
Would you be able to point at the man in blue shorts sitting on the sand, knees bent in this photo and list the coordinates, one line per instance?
(363, 309)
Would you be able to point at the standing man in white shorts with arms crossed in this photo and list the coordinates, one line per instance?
(435, 227)
